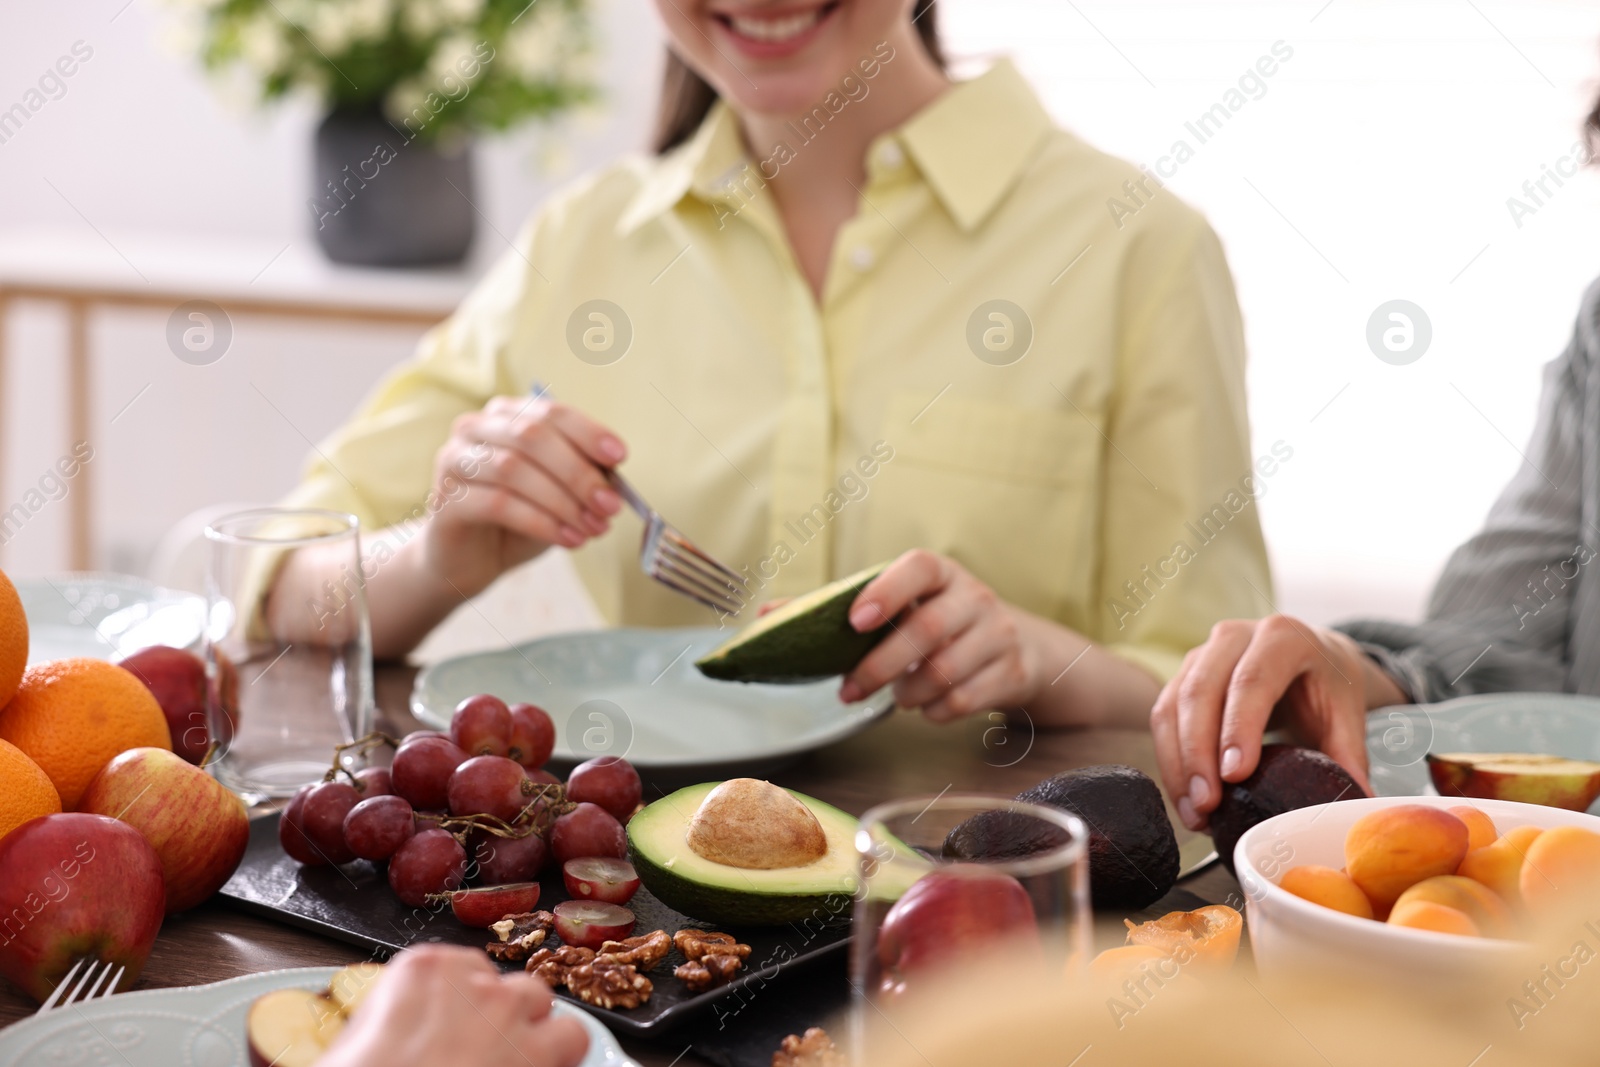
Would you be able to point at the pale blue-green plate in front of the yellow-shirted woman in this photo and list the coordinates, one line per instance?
(636, 693)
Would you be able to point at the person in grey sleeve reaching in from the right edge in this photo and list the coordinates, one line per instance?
(1516, 609)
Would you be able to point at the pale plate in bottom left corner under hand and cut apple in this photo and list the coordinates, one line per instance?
(198, 1026)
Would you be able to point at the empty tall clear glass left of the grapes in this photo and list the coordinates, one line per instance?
(279, 708)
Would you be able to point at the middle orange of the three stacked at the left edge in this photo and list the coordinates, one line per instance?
(73, 716)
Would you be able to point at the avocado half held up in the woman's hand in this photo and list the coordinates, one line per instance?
(806, 641)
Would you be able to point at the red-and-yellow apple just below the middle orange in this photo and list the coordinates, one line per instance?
(198, 828)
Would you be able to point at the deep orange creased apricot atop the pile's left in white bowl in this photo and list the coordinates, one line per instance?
(1391, 850)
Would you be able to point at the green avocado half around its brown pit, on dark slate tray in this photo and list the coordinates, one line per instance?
(735, 897)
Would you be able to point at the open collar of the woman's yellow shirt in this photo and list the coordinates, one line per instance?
(970, 146)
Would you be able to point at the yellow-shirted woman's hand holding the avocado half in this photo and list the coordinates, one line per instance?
(956, 647)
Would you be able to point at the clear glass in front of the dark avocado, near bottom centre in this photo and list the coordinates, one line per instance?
(918, 917)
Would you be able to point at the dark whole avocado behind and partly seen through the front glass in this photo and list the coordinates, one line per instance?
(1134, 852)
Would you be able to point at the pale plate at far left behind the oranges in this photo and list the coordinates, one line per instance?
(105, 617)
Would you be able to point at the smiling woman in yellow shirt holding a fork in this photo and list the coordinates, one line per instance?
(850, 311)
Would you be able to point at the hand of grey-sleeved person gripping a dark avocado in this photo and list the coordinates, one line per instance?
(1209, 721)
